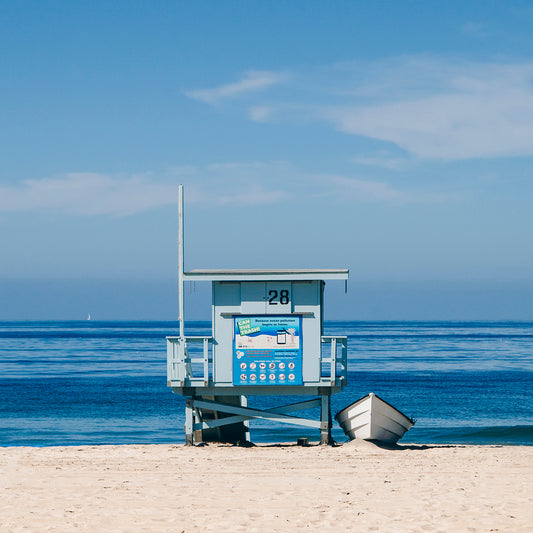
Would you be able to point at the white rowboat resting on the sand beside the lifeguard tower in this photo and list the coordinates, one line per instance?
(372, 418)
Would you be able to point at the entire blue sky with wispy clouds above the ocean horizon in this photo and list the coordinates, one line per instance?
(392, 138)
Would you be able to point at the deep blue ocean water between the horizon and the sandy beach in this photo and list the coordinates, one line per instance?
(73, 383)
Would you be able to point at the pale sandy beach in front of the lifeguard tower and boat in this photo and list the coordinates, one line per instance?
(355, 487)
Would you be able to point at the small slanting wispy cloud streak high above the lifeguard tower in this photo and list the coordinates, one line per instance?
(254, 80)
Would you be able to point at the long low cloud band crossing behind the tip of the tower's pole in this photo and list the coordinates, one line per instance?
(216, 185)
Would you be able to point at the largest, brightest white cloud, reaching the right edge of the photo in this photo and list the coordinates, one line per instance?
(454, 126)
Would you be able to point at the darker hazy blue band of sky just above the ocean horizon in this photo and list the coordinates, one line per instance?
(377, 300)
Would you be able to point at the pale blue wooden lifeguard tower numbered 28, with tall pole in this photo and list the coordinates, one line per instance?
(267, 339)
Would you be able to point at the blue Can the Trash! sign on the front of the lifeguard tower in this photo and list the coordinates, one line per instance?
(267, 350)
